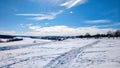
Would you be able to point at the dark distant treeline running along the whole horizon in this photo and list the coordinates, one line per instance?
(109, 34)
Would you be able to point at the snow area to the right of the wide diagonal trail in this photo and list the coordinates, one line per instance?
(105, 54)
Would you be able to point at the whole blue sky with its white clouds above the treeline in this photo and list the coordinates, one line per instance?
(58, 17)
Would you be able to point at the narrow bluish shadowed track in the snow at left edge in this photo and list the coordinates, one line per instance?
(20, 46)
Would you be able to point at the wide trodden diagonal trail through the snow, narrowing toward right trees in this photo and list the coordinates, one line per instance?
(64, 60)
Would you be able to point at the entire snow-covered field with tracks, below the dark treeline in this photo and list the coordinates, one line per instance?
(70, 53)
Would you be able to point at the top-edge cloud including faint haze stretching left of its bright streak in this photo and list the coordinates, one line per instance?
(64, 3)
